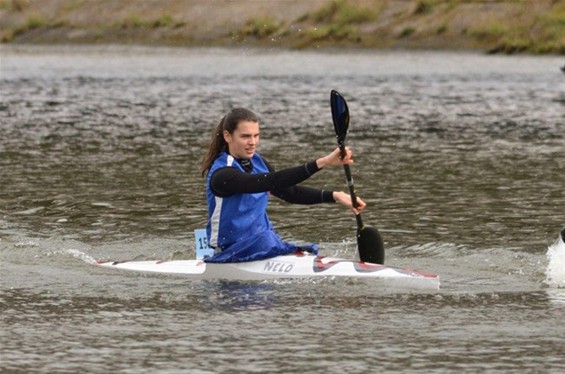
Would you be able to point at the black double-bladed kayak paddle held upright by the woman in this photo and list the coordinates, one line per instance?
(369, 240)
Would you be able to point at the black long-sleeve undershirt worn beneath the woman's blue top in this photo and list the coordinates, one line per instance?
(283, 183)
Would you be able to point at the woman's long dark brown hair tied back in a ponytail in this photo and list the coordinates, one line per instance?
(218, 144)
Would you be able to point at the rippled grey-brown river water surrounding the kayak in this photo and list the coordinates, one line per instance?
(460, 157)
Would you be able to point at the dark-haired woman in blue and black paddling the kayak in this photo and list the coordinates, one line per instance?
(238, 183)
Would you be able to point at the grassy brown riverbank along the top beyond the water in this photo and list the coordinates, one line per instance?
(505, 26)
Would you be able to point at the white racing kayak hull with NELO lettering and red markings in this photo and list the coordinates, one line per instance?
(300, 265)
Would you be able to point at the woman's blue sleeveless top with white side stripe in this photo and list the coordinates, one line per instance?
(238, 226)
